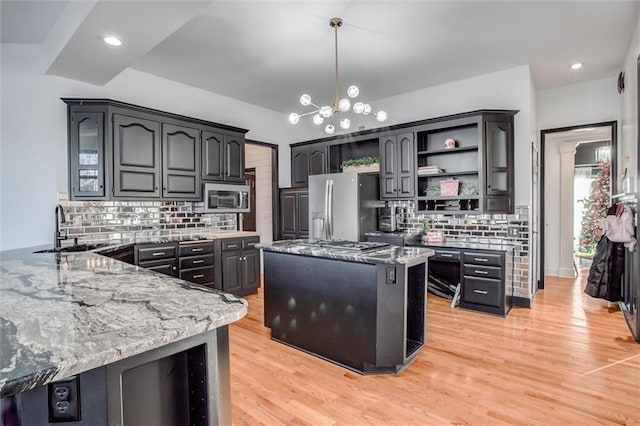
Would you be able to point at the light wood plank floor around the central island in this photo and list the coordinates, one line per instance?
(567, 360)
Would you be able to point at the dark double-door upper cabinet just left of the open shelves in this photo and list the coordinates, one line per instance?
(397, 167)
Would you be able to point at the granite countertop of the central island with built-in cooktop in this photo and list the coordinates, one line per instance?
(388, 254)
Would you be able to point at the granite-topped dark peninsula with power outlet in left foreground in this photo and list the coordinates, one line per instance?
(110, 343)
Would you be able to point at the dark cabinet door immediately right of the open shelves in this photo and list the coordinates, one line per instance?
(497, 154)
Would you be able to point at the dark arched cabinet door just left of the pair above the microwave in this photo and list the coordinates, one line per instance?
(181, 168)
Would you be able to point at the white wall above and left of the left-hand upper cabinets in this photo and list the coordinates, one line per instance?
(33, 153)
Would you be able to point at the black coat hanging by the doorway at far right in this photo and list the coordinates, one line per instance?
(605, 274)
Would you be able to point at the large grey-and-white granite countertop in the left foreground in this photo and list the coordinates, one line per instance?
(65, 313)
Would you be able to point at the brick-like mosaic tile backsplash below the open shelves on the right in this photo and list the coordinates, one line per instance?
(489, 228)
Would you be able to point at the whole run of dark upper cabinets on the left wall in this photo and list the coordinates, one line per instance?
(124, 151)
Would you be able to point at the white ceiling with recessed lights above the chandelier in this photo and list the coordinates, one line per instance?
(268, 53)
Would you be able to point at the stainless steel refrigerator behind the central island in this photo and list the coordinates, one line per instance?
(342, 206)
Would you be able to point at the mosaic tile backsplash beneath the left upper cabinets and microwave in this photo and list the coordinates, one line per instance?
(127, 221)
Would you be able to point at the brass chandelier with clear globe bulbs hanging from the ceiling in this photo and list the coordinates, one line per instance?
(340, 106)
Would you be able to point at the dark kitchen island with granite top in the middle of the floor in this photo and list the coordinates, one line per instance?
(358, 305)
